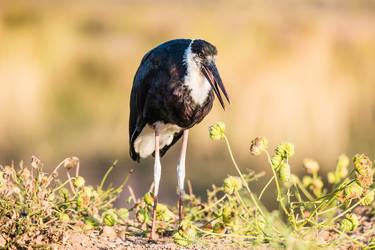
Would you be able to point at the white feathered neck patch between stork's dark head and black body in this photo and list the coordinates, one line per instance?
(194, 79)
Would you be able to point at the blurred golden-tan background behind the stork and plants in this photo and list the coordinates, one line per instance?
(302, 71)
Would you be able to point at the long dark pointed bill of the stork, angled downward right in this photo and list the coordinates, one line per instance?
(212, 74)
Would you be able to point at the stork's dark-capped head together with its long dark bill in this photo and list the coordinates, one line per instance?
(204, 54)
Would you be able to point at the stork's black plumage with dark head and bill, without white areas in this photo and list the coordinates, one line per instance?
(160, 95)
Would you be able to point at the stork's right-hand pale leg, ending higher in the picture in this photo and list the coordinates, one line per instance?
(181, 174)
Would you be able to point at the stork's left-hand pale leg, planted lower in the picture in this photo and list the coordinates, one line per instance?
(157, 174)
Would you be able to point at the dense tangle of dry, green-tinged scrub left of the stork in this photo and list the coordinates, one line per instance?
(36, 208)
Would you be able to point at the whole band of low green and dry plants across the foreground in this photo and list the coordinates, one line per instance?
(36, 208)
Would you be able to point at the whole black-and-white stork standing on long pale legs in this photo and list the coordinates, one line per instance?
(173, 90)
